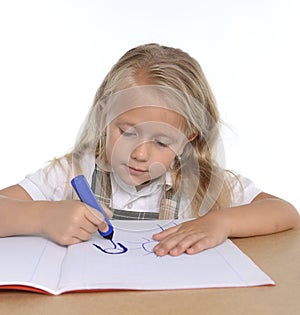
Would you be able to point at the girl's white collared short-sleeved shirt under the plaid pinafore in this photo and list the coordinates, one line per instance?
(53, 185)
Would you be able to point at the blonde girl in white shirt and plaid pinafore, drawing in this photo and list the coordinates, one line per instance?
(148, 148)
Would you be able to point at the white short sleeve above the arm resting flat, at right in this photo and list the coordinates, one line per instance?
(243, 190)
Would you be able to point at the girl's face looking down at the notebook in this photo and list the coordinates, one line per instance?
(142, 143)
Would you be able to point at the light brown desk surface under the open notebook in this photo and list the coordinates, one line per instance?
(278, 255)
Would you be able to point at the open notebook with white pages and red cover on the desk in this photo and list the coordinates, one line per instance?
(127, 263)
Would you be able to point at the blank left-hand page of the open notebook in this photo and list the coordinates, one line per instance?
(30, 260)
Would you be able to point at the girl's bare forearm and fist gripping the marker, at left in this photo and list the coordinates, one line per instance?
(66, 222)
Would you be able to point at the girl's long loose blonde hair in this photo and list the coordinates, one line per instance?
(156, 65)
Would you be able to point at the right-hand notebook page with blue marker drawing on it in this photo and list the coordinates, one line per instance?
(86, 267)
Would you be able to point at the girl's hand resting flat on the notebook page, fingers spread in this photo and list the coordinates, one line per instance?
(193, 236)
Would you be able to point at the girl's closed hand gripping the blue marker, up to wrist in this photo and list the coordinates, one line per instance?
(70, 222)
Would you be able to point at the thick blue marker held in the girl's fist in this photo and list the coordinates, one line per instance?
(86, 195)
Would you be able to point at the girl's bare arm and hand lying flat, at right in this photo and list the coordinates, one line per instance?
(266, 214)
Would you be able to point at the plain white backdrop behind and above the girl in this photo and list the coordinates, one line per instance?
(54, 55)
